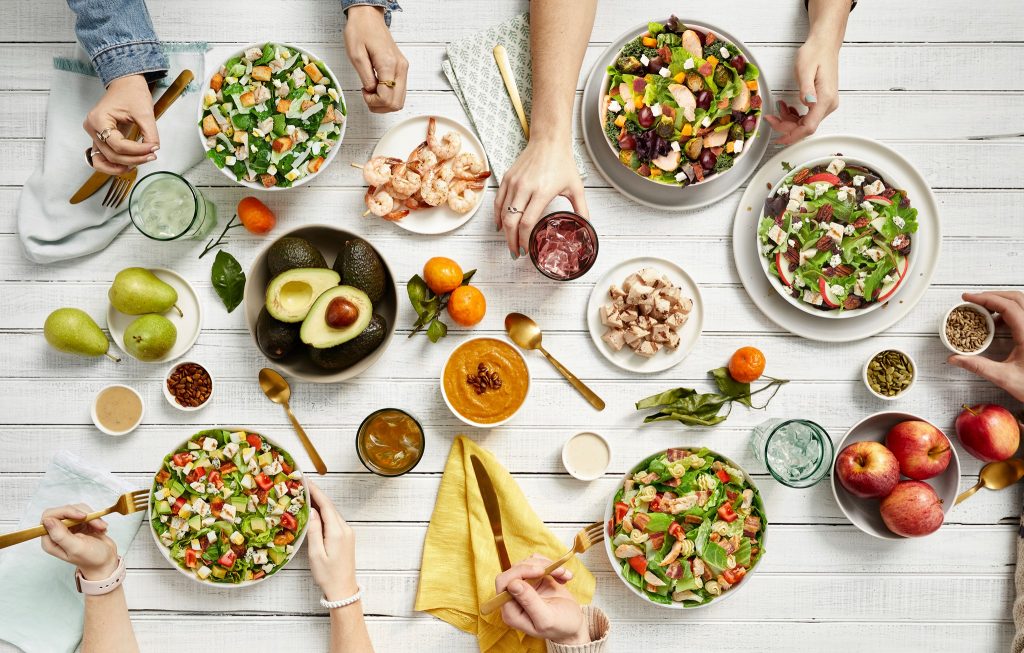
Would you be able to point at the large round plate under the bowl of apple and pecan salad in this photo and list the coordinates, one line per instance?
(927, 242)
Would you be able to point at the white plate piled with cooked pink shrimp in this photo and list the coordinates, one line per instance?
(428, 175)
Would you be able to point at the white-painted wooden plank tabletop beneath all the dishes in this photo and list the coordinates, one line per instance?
(823, 586)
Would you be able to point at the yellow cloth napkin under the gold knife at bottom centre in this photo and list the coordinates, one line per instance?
(460, 561)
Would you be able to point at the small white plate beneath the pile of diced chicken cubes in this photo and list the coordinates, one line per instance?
(666, 359)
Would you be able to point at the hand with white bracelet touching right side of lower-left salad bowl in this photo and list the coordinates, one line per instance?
(332, 548)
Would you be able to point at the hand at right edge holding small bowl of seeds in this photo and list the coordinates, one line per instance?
(1008, 374)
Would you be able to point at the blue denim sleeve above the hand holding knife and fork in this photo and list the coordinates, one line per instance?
(119, 38)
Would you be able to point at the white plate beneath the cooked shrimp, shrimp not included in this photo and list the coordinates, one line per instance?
(401, 141)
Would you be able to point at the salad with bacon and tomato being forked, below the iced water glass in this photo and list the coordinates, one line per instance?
(688, 528)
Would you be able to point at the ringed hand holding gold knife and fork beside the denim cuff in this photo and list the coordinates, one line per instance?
(127, 101)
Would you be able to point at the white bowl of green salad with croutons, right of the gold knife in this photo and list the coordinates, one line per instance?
(273, 117)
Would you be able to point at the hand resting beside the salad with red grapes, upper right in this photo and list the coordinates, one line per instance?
(818, 75)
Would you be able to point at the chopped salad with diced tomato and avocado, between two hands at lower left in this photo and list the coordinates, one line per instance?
(229, 507)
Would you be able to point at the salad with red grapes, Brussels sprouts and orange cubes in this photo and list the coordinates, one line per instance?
(681, 104)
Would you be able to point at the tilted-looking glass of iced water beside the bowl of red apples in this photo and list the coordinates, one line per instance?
(797, 453)
